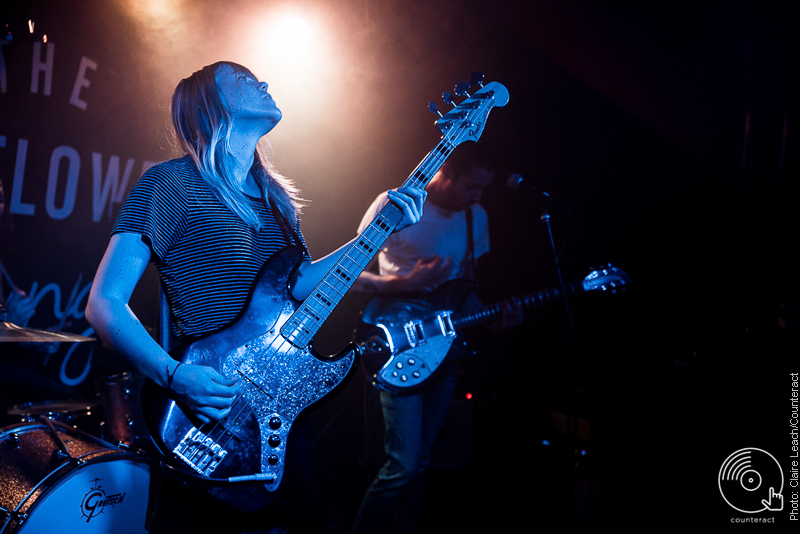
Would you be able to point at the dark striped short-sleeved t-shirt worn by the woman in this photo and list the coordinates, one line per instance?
(208, 258)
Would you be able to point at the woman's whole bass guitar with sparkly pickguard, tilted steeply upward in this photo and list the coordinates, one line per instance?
(241, 459)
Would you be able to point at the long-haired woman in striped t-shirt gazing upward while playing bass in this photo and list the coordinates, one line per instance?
(208, 221)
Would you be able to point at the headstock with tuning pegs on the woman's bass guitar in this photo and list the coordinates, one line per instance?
(465, 122)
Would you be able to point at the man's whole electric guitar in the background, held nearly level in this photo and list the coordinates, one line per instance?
(414, 333)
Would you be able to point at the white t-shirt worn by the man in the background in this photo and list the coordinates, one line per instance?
(439, 231)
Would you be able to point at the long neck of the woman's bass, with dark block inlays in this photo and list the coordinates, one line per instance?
(301, 327)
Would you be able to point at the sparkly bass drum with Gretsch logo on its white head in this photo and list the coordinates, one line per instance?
(54, 478)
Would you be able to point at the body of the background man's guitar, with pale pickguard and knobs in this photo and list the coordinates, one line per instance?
(411, 336)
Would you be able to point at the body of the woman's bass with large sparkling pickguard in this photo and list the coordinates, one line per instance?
(280, 383)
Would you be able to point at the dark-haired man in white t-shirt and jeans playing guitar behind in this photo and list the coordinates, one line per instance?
(452, 233)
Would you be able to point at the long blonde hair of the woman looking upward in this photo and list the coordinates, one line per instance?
(203, 127)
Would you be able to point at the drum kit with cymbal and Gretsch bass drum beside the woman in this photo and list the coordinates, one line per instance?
(55, 477)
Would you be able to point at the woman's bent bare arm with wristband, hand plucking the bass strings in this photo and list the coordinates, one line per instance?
(206, 392)
